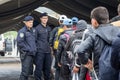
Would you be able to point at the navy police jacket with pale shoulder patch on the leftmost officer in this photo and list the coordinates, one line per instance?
(26, 40)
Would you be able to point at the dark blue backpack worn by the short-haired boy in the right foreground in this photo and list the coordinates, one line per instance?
(106, 71)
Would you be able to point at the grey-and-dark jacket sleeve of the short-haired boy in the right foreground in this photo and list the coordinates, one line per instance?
(83, 48)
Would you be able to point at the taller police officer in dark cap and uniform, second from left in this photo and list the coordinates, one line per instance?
(43, 57)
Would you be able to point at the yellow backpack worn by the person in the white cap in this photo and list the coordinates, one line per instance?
(56, 41)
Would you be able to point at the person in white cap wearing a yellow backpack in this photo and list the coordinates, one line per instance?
(54, 38)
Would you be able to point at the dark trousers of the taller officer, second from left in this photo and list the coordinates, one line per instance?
(43, 66)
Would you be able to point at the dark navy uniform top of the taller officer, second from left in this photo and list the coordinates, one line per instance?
(42, 36)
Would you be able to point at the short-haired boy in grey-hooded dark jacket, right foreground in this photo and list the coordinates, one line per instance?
(103, 35)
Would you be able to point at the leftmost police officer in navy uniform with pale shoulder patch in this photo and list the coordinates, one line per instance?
(27, 46)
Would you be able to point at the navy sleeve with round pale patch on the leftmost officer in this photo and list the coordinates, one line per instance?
(22, 45)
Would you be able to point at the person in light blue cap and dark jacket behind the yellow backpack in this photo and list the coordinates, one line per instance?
(61, 52)
